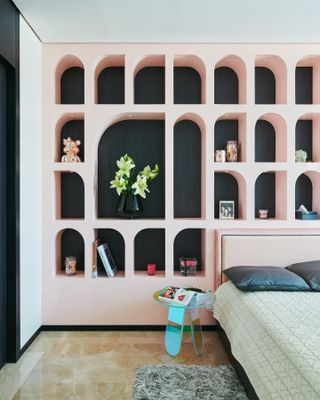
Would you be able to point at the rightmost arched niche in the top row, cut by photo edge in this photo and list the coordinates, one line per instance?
(307, 80)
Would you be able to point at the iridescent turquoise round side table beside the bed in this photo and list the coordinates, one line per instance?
(176, 325)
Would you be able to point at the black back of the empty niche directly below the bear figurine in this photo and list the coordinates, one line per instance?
(72, 195)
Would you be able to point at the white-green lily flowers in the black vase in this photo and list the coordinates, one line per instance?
(124, 182)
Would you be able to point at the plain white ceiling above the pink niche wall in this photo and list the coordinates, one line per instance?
(244, 21)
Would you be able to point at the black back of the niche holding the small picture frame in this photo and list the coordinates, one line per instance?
(225, 189)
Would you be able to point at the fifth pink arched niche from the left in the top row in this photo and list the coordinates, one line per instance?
(230, 80)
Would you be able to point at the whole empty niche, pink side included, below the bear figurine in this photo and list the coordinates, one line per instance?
(69, 195)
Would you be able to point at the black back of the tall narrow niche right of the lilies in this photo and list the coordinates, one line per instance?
(187, 170)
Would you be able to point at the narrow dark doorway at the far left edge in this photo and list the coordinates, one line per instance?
(3, 221)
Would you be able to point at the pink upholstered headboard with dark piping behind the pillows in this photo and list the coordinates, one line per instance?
(264, 247)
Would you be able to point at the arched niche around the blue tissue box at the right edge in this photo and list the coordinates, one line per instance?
(307, 191)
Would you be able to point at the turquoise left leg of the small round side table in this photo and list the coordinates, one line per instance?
(174, 330)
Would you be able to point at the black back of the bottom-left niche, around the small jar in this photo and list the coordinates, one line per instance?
(72, 244)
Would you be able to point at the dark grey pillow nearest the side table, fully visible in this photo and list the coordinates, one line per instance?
(249, 278)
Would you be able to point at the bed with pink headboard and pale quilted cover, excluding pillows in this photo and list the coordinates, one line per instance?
(275, 336)
